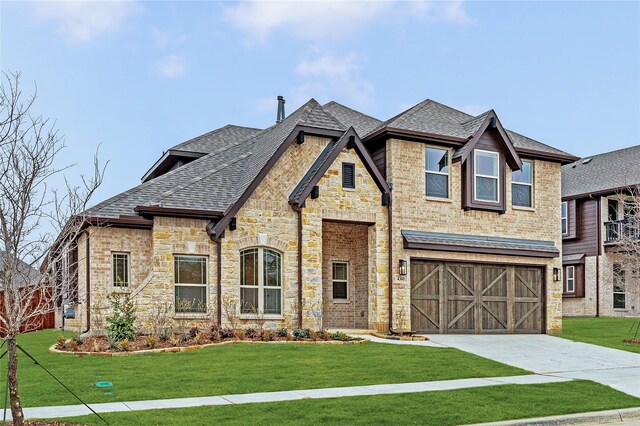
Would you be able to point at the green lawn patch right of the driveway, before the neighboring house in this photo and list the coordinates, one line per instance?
(601, 331)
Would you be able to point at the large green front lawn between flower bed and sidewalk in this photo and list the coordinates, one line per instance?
(240, 368)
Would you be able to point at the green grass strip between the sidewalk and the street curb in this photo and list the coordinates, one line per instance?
(463, 406)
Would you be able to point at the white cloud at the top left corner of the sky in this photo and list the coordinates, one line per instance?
(84, 21)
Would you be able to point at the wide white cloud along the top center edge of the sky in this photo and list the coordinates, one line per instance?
(321, 20)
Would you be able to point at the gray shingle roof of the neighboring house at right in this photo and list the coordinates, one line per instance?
(606, 171)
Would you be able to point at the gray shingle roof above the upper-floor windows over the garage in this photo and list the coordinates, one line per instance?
(435, 118)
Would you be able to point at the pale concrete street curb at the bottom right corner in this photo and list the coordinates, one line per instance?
(595, 417)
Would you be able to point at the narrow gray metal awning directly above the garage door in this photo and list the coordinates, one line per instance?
(478, 244)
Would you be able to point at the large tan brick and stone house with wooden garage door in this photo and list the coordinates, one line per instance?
(434, 220)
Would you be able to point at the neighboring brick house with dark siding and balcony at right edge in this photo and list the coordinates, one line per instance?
(598, 280)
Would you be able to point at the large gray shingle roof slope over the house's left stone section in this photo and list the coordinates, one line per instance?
(216, 180)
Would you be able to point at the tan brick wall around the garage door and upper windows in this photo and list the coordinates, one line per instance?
(412, 210)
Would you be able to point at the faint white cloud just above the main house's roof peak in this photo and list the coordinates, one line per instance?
(329, 76)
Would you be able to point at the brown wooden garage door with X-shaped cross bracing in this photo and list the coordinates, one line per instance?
(448, 297)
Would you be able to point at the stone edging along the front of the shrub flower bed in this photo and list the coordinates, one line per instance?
(175, 349)
